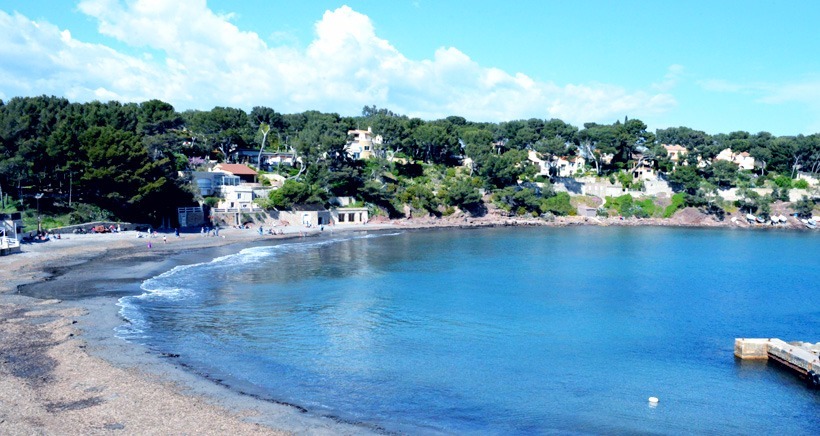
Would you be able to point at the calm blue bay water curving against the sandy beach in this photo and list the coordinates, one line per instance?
(501, 331)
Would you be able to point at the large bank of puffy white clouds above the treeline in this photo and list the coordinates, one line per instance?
(184, 53)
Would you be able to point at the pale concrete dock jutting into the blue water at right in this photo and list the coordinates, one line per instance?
(800, 357)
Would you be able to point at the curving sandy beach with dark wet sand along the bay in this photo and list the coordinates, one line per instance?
(65, 372)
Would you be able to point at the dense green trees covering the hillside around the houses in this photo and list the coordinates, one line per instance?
(129, 161)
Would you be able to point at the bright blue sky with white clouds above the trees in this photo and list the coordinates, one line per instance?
(716, 66)
